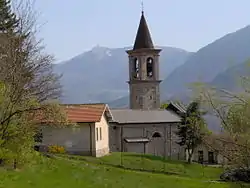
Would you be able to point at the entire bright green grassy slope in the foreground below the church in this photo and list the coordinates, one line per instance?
(84, 172)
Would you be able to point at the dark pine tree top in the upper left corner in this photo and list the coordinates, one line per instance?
(8, 19)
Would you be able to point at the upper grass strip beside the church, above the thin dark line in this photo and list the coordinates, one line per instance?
(156, 164)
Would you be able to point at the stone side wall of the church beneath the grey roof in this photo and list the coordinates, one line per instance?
(164, 146)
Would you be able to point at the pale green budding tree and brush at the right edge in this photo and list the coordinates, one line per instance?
(232, 109)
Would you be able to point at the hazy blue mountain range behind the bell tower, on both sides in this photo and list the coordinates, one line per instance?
(100, 74)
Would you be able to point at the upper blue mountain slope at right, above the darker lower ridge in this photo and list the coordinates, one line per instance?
(208, 62)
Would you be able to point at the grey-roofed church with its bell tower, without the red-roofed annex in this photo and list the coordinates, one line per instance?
(144, 127)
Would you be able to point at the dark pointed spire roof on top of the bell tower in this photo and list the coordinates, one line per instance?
(143, 37)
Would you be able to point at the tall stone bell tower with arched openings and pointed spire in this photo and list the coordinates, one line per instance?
(144, 70)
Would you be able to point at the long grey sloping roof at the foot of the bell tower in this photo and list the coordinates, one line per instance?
(144, 116)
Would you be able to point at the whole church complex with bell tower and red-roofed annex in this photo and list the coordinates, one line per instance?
(142, 128)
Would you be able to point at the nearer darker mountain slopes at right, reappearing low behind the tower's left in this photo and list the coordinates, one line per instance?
(220, 64)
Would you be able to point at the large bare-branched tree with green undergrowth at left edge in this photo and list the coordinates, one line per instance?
(28, 87)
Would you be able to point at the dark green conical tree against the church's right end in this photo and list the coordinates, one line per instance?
(193, 129)
